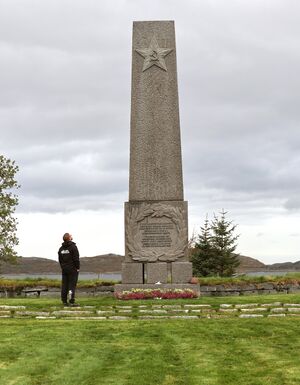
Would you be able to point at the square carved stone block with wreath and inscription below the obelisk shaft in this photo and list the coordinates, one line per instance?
(156, 231)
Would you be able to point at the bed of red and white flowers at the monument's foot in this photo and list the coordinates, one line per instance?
(157, 293)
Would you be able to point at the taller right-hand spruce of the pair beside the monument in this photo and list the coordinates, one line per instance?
(223, 242)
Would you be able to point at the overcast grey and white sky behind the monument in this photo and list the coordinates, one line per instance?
(65, 72)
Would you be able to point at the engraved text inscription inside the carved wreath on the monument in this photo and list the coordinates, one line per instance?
(156, 234)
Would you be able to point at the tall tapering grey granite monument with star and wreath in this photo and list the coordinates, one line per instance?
(156, 226)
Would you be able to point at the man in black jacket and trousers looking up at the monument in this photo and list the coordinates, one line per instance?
(68, 257)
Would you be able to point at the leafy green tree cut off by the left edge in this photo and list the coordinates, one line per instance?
(8, 203)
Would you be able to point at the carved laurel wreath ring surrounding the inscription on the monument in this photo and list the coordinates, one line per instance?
(158, 210)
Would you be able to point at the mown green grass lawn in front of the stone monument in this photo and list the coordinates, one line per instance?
(153, 352)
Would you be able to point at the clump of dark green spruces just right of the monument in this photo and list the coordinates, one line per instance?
(214, 252)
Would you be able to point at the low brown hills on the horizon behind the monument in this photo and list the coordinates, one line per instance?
(112, 263)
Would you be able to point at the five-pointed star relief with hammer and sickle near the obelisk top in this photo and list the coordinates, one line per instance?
(154, 55)
